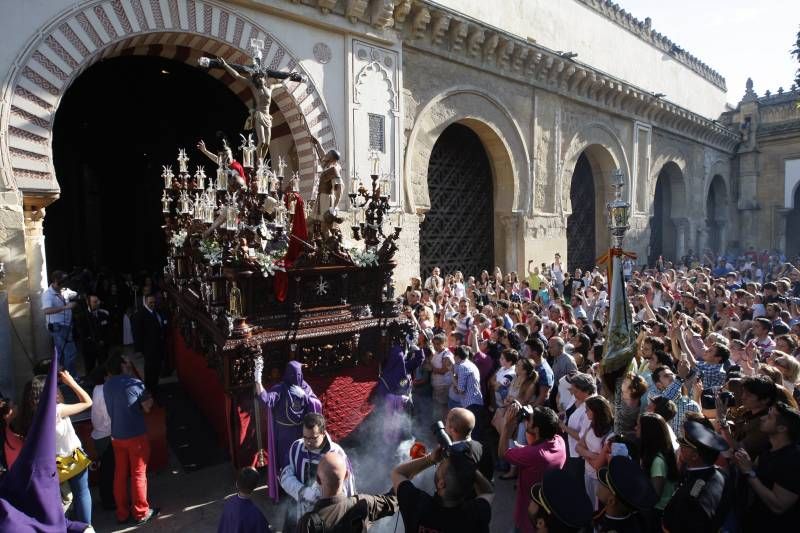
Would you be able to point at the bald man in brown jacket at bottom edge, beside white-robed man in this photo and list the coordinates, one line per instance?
(336, 511)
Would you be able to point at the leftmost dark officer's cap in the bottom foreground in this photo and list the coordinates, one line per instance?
(563, 497)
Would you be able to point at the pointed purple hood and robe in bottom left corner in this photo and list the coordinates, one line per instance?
(30, 498)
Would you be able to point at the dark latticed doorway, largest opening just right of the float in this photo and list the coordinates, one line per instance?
(458, 231)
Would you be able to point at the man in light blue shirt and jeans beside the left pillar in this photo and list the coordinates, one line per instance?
(57, 305)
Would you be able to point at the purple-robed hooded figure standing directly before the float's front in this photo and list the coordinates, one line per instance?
(285, 420)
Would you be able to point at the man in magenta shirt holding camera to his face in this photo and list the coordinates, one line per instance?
(544, 451)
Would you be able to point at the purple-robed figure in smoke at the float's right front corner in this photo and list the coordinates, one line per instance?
(395, 386)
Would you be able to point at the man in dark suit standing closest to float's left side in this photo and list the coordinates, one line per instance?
(149, 334)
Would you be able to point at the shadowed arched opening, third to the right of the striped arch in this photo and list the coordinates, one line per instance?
(668, 211)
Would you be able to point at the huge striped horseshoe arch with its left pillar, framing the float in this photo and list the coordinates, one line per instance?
(58, 52)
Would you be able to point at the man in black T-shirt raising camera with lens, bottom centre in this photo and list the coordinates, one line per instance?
(463, 499)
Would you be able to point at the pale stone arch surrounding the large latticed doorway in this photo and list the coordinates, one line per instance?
(501, 137)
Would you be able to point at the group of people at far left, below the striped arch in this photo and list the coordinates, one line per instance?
(90, 319)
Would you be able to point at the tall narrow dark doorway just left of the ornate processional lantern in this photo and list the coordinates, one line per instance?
(581, 231)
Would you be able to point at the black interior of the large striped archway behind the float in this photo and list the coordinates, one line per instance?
(116, 125)
